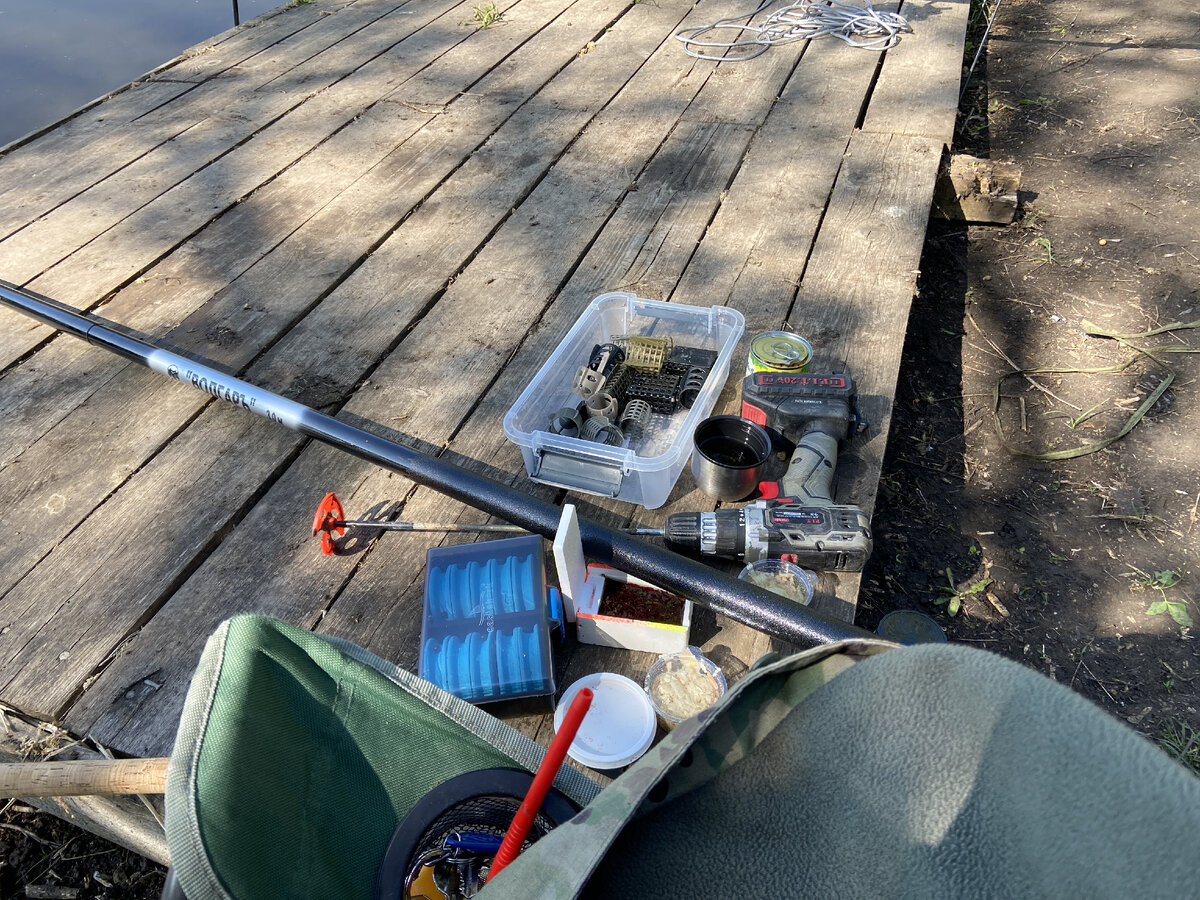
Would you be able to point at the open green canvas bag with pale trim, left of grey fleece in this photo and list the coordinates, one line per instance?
(297, 755)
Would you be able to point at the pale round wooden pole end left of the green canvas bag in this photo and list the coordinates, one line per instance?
(73, 778)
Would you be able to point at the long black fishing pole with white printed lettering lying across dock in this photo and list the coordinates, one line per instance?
(740, 601)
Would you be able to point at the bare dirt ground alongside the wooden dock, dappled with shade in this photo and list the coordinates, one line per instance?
(1084, 569)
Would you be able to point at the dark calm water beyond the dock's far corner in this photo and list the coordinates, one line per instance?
(56, 56)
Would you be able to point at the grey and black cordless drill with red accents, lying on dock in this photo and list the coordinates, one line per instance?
(796, 518)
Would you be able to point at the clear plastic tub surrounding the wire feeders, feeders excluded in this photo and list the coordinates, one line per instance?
(646, 471)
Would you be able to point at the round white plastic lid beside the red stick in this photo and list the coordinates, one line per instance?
(620, 725)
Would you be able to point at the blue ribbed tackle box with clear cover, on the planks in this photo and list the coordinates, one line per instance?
(485, 632)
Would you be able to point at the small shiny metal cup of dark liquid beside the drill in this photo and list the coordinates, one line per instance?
(729, 457)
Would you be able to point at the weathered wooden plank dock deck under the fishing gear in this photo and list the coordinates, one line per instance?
(393, 217)
